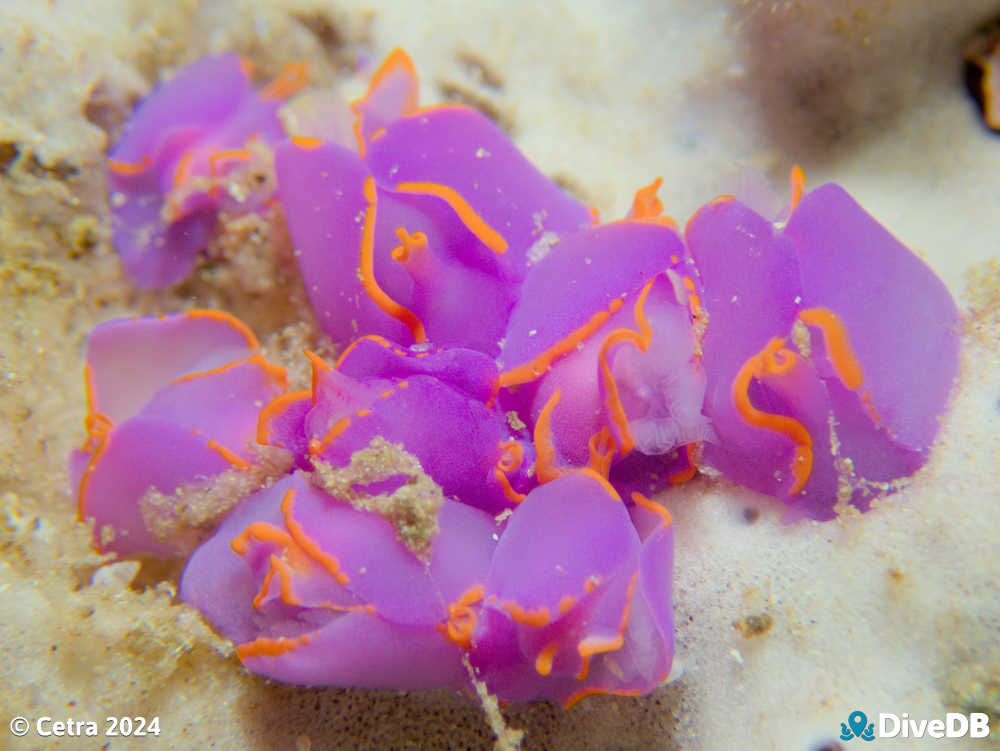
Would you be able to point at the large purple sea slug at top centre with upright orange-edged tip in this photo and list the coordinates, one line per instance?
(433, 209)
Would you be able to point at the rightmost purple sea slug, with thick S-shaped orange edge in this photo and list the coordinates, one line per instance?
(830, 351)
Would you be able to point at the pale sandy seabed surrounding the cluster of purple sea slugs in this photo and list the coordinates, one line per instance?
(897, 611)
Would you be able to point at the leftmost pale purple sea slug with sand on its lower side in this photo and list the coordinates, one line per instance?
(172, 407)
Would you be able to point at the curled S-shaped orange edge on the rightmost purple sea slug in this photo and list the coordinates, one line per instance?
(774, 360)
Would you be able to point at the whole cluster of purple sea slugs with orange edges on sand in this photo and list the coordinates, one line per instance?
(464, 495)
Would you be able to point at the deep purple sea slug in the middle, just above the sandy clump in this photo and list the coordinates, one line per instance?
(436, 404)
